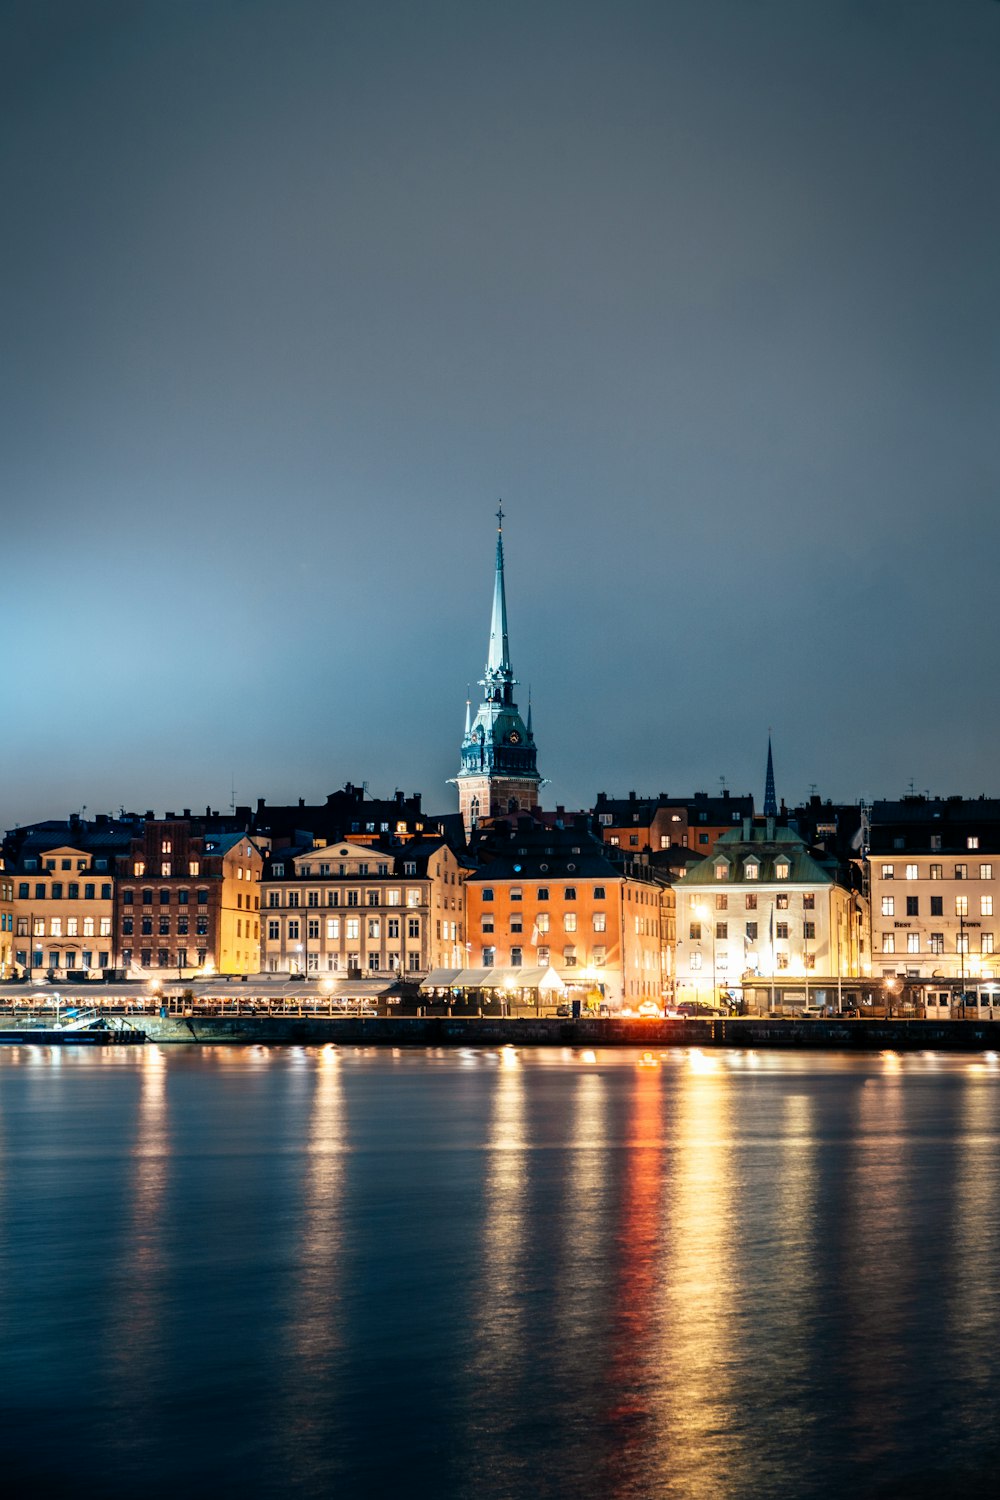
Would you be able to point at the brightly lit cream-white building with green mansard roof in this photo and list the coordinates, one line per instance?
(767, 923)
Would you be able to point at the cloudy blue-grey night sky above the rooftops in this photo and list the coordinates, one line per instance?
(707, 290)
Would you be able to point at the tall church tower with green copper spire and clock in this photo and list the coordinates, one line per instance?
(499, 776)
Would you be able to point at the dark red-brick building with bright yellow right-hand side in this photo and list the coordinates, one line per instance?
(190, 899)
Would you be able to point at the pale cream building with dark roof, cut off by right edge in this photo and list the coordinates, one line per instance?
(935, 886)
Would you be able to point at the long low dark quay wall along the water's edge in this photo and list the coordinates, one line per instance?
(454, 1031)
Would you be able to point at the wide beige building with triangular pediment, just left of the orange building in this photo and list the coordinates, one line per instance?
(364, 910)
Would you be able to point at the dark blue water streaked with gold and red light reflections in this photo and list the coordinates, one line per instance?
(499, 1274)
